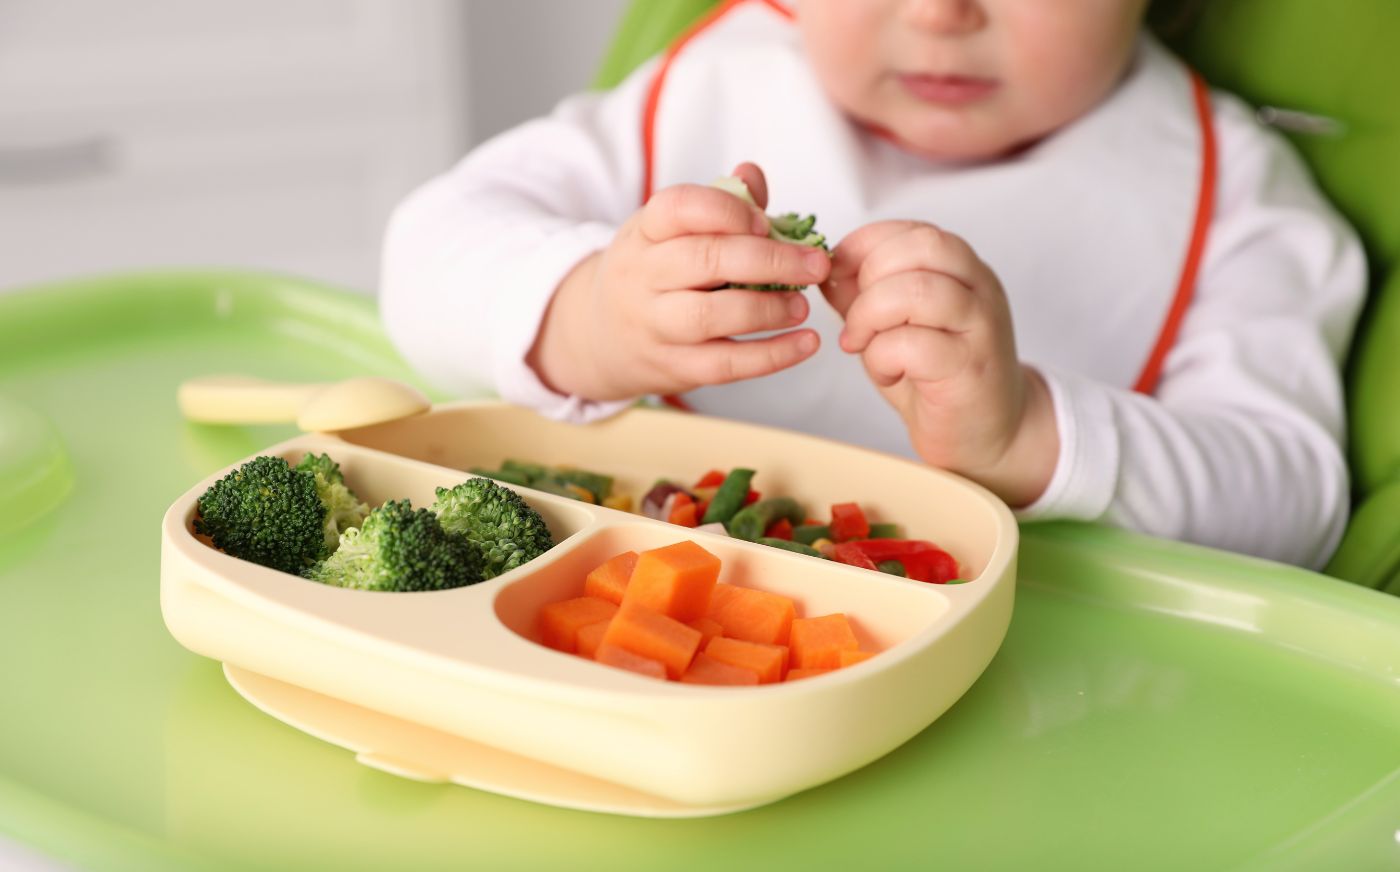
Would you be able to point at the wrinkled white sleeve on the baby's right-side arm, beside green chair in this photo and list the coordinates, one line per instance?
(1241, 447)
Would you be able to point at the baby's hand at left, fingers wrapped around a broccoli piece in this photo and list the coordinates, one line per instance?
(642, 317)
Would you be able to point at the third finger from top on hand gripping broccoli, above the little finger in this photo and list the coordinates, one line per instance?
(696, 317)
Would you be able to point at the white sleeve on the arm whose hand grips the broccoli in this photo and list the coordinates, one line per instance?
(474, 257)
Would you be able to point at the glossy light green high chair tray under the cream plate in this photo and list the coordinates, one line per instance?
(1154, 708)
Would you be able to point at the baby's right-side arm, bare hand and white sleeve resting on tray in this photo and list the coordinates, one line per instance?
(1240, 447)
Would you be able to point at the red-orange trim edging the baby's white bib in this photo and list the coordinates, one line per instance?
(1205, 199)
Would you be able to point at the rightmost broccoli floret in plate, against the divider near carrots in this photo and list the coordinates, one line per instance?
(506, 530)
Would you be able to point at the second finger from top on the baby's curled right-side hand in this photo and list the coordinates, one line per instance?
(916, 299)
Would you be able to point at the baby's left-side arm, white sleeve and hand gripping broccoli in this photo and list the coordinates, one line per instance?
(474, 261)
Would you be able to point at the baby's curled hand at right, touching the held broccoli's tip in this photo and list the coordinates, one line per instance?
(933, 328)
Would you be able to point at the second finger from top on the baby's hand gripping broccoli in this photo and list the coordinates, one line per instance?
(699, 262)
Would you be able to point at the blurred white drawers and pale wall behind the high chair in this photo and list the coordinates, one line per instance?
(257, 134)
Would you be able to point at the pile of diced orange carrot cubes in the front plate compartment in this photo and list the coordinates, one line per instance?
(664, 614)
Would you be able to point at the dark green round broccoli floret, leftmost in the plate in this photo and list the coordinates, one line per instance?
(267, 513)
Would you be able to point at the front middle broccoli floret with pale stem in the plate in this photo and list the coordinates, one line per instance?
(401, 548)
